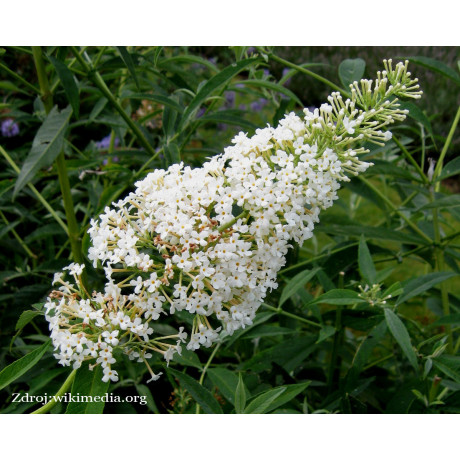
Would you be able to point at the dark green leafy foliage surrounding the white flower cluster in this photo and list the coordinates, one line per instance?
(367, 313)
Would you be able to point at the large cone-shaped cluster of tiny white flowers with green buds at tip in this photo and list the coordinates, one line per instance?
(211, 240)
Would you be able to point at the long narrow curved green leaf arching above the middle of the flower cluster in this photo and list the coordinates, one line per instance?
(212, 85)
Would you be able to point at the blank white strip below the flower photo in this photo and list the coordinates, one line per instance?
(222, 437)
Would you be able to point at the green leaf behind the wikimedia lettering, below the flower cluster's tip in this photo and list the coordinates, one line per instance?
(88, 383)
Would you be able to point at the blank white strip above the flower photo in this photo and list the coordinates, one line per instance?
(239, 22)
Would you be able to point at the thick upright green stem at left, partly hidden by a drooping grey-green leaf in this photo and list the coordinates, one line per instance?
(47, 97)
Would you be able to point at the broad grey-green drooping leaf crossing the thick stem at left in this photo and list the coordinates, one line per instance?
(46, 146)
